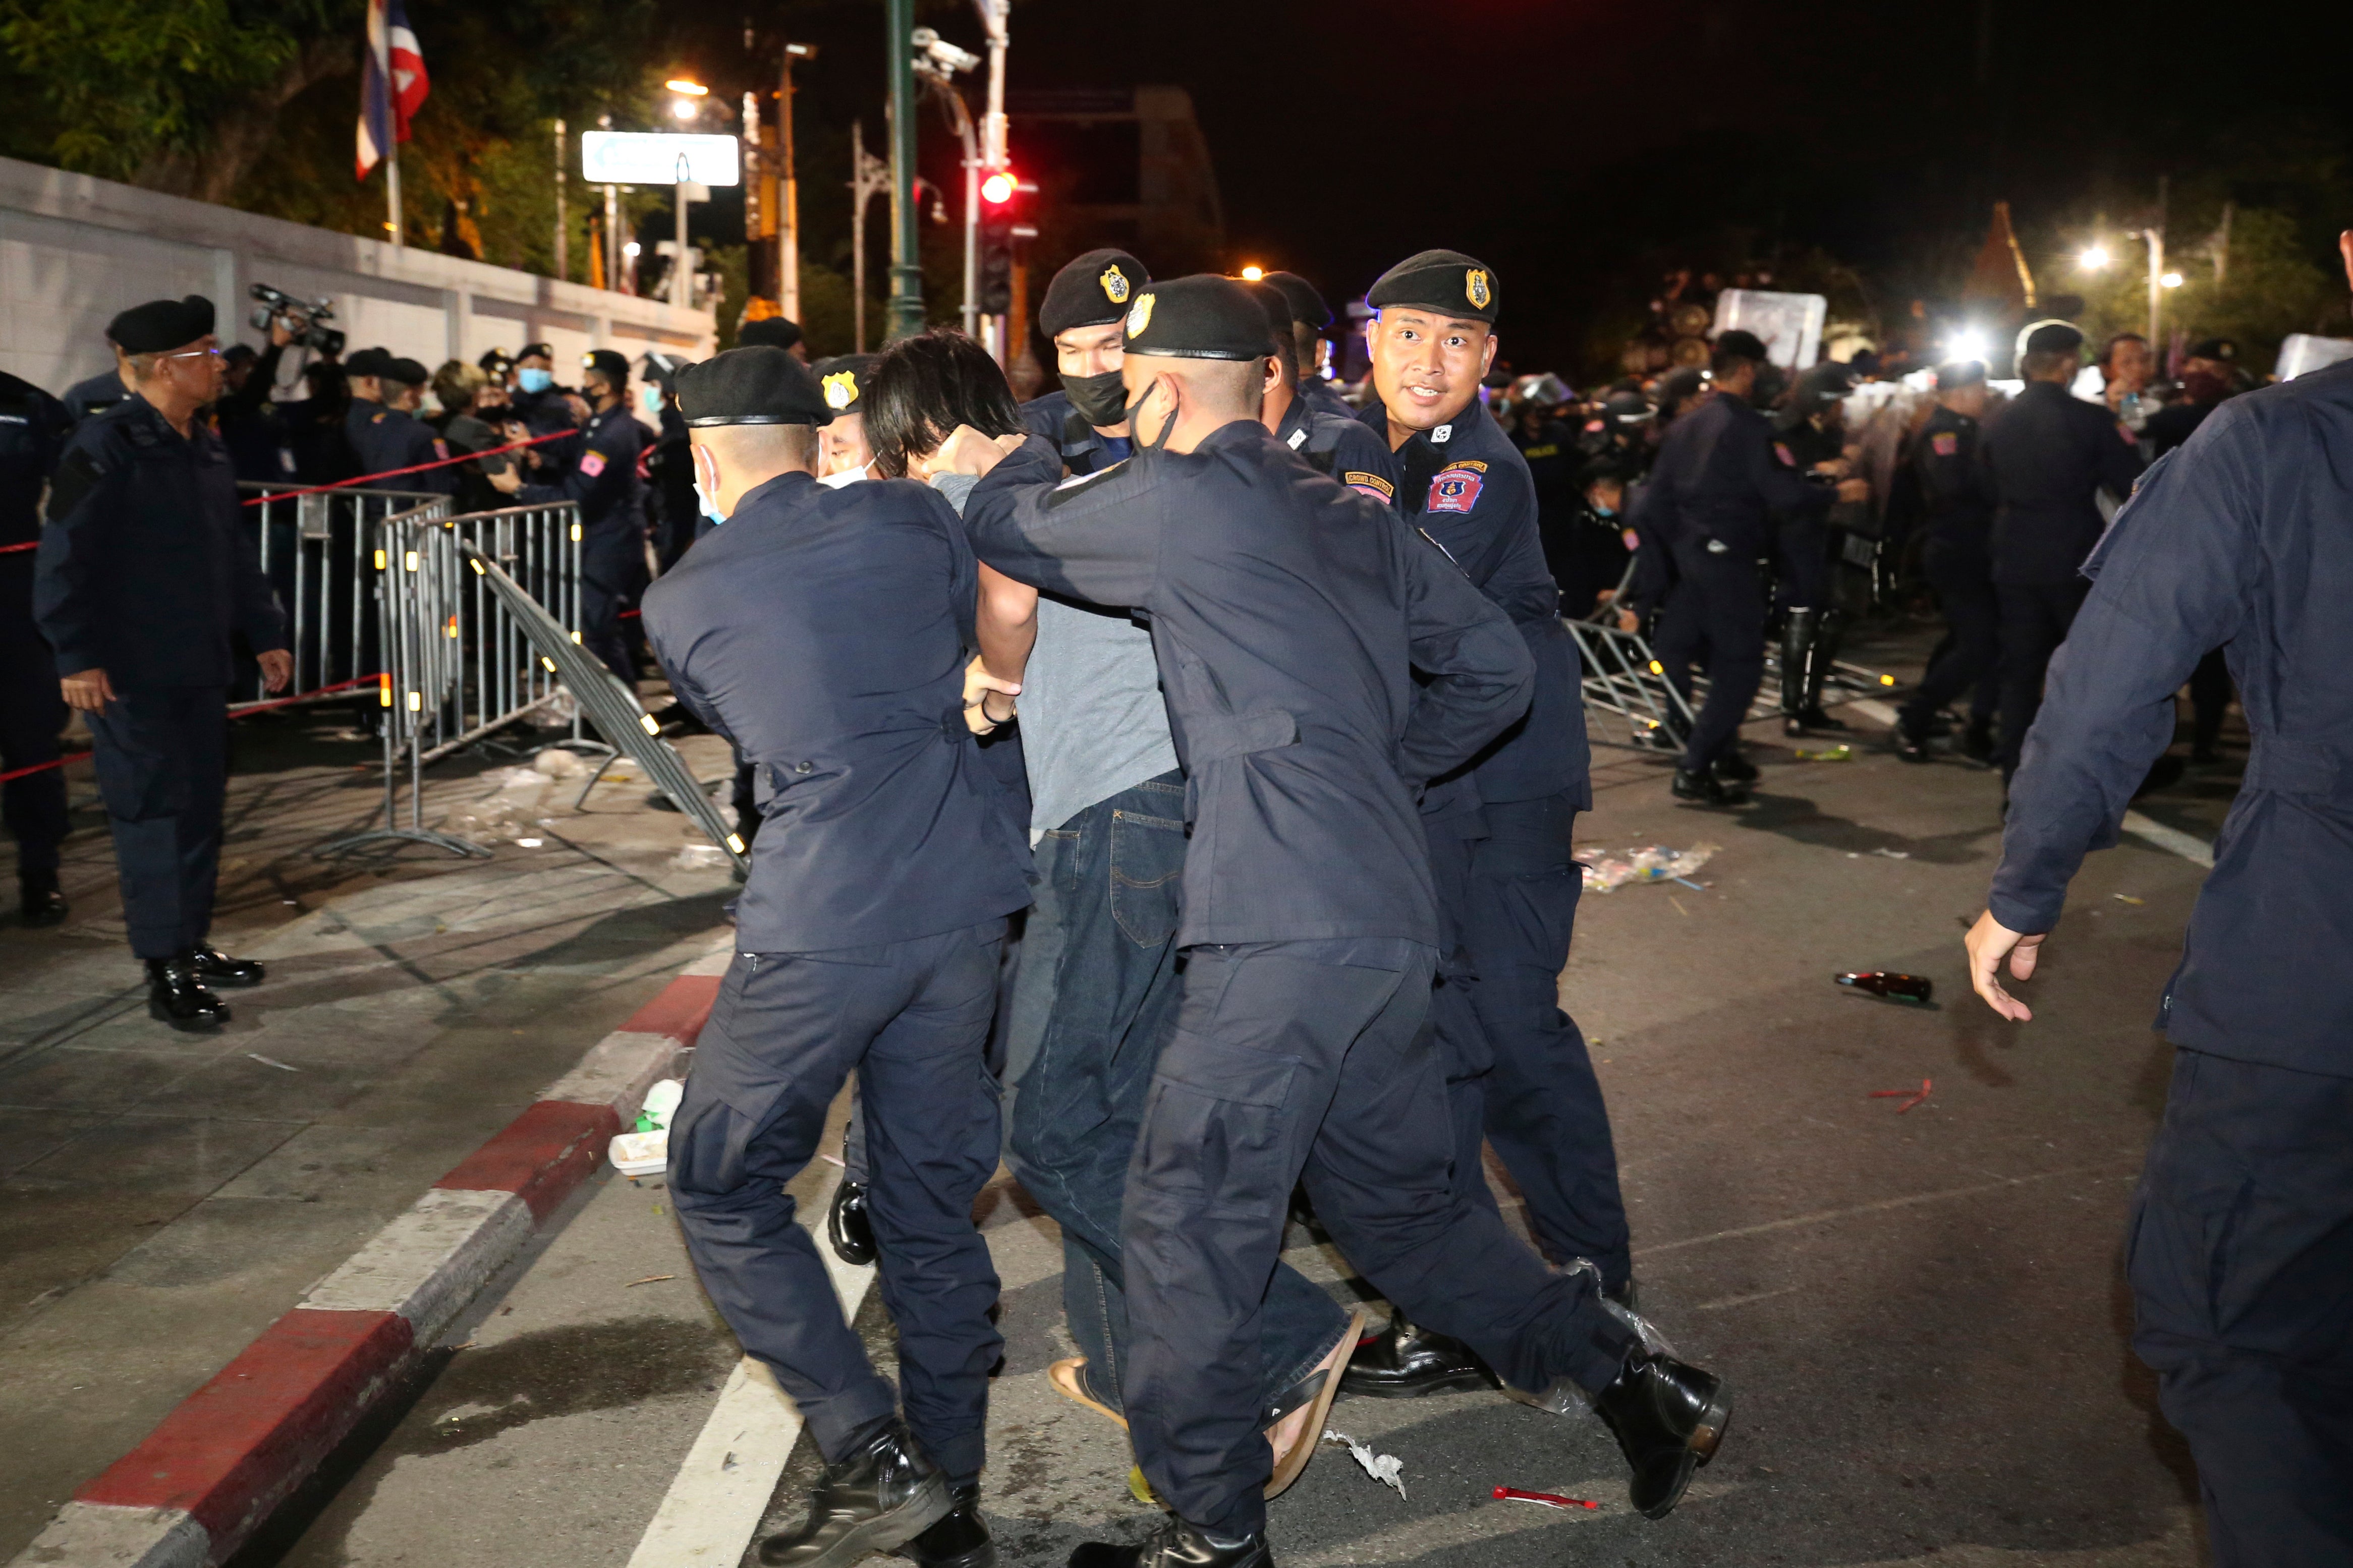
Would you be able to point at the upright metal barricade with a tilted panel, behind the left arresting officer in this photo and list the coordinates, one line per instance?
(458, 662)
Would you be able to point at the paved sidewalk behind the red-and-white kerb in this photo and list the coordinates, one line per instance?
(164, 1198)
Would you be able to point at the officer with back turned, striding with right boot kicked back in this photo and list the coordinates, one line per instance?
(1291, 619)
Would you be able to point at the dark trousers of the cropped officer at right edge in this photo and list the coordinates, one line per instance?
(2241, 1264)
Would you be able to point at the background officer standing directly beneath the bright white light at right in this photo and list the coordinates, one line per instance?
(1957, 500)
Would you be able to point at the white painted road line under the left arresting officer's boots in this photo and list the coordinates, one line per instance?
(724, 1489)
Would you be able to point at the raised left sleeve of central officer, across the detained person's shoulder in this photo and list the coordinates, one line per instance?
(1093, 540)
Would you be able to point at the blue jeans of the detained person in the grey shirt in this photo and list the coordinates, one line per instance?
(1093, 1007)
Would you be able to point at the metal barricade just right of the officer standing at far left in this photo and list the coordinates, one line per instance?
(316, 551)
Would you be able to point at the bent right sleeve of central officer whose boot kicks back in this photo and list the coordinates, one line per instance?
(1479, 664)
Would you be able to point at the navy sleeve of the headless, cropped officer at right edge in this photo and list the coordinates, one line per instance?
(2171, 582)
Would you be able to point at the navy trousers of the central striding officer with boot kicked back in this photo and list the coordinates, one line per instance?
(1309, 1059)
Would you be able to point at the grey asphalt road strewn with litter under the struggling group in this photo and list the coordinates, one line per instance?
(1921, 1313)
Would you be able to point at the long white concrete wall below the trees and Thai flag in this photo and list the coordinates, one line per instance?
(76, 250)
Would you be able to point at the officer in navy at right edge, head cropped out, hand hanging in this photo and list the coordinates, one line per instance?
(2241, 1235)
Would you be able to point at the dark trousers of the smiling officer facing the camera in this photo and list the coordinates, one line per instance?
(1538, 1099)
